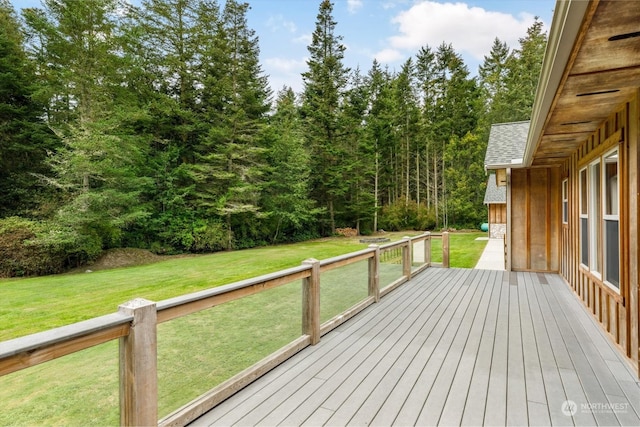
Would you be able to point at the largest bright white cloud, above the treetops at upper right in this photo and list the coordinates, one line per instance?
(471, 30)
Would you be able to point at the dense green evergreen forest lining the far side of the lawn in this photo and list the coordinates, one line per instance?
(155, 127)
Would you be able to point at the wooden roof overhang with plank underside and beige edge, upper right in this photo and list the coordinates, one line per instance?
(591, 68)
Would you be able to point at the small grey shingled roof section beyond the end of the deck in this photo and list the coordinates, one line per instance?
(506, 145)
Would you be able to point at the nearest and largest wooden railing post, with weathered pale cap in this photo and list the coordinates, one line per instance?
(138, 365)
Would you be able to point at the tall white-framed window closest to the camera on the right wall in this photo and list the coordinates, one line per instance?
(611, 198)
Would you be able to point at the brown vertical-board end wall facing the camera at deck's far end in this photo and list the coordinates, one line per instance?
(535, 221)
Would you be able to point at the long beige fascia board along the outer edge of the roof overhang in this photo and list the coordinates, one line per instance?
(565, 27)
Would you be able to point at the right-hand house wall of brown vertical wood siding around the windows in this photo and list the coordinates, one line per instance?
(616, 309)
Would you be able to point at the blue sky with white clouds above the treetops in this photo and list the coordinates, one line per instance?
(388, 30)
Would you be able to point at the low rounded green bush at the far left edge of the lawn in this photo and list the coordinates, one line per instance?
(30, 248)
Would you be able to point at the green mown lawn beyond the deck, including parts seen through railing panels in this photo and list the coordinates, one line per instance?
(195, 352)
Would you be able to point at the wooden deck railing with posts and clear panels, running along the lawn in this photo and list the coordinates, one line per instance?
(135, 326)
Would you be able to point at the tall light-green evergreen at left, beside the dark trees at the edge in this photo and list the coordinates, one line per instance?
(97, 167)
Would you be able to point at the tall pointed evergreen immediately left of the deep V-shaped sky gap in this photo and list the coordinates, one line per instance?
(230, 160)
